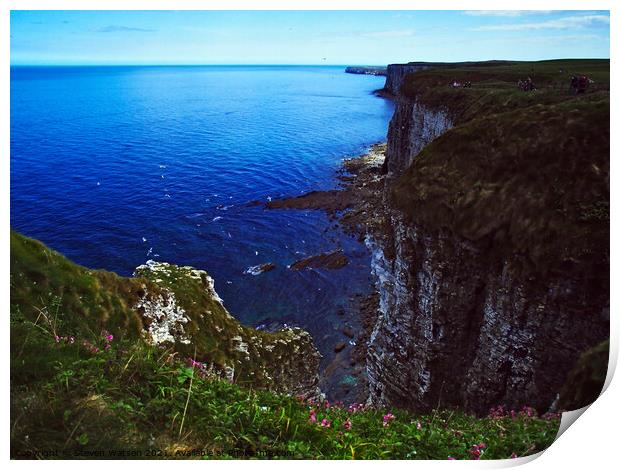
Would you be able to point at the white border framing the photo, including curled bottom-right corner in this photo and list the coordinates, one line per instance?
(591, 443)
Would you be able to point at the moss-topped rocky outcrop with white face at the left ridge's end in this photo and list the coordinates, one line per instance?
(185, 312)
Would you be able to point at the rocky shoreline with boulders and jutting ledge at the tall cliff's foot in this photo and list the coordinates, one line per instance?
(357, 207)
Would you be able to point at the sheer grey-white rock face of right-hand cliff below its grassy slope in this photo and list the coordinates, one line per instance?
(456, 326)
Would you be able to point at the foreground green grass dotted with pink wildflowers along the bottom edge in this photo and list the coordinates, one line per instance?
(68, 402)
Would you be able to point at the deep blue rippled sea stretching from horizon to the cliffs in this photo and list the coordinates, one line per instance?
(113, 166)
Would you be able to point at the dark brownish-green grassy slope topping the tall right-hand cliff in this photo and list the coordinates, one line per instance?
(526, 173)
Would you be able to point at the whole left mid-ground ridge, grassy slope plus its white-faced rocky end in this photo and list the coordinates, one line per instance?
(174, 307)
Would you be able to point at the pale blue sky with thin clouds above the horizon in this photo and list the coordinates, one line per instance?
(298, 37)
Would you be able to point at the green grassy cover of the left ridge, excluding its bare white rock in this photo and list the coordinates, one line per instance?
(70, 300)
